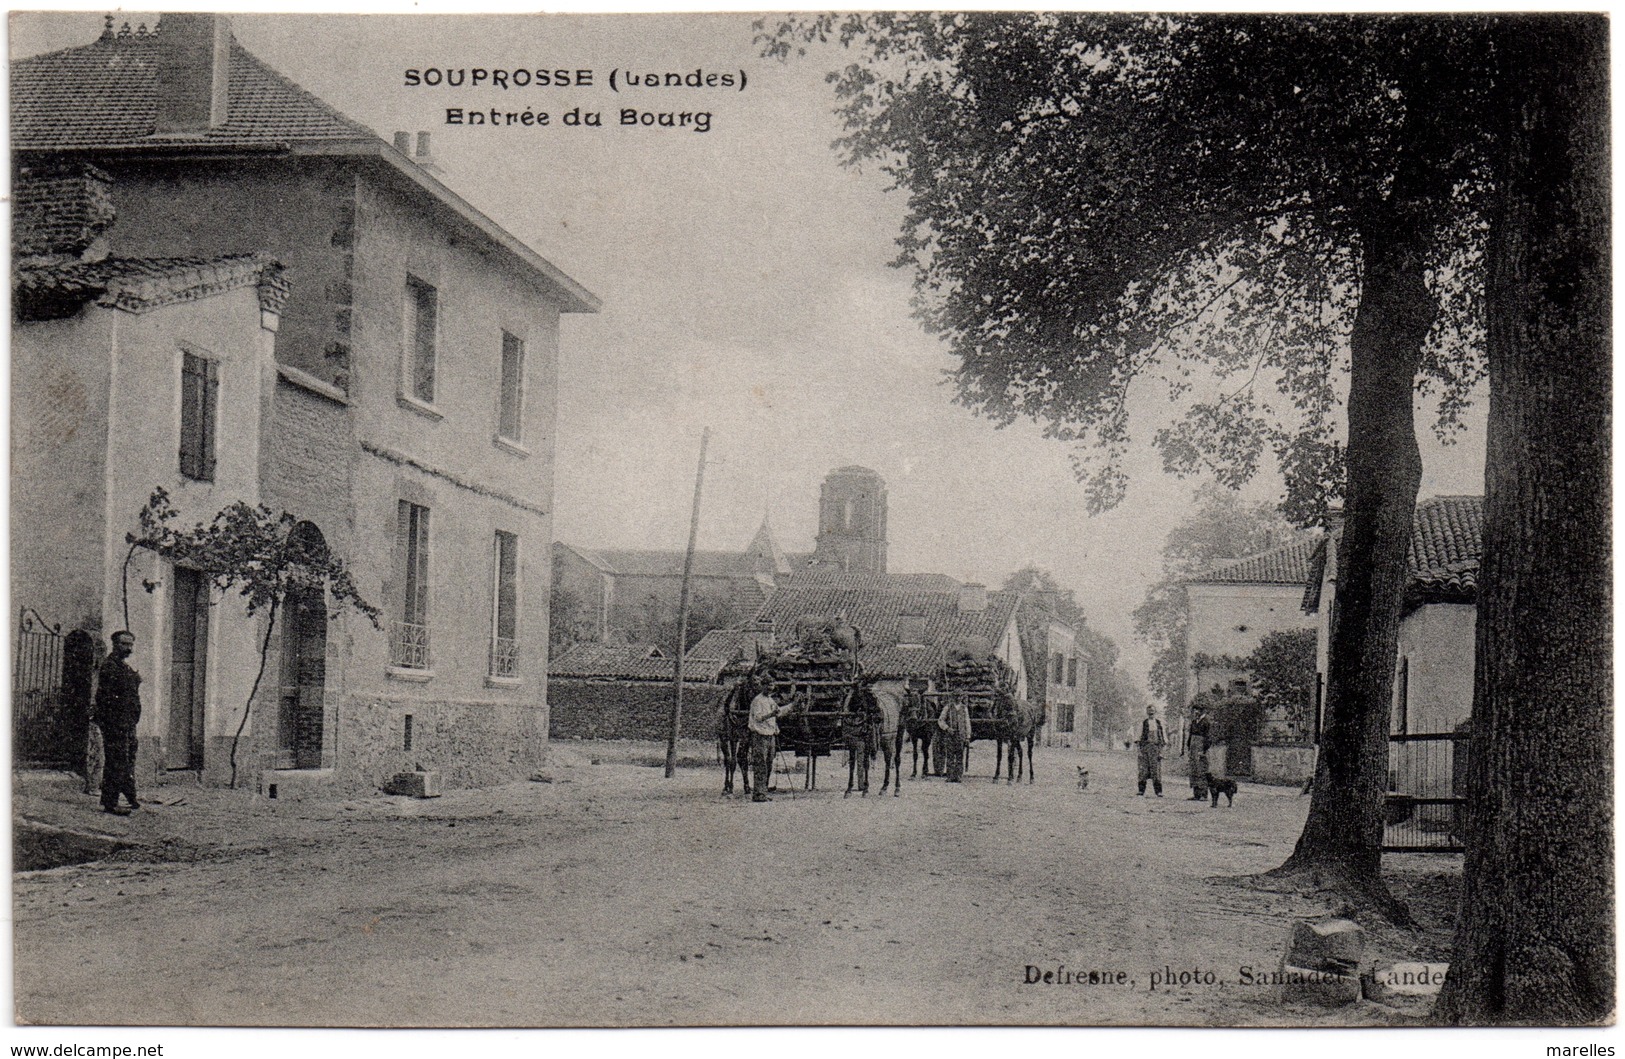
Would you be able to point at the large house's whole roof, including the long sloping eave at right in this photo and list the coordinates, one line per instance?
(103, 97)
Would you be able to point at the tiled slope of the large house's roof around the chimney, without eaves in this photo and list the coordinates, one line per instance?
(103, 95)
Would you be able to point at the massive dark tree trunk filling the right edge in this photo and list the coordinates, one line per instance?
(1535, 943)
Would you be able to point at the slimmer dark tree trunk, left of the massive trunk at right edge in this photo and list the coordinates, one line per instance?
(1341, 841)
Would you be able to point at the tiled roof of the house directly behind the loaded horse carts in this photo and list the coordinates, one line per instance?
(877, 607)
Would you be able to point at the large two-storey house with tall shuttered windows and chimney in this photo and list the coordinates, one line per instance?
(409, 418)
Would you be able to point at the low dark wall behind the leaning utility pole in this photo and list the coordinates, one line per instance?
(628, 709)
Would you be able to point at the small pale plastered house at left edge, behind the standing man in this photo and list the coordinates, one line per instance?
(124, 374)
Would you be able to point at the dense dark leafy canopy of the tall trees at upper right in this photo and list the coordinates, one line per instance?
(1098, 201)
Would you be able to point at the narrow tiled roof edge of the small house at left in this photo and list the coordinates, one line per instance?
(50, 292)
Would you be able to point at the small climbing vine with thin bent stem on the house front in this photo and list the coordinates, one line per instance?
(254, 553)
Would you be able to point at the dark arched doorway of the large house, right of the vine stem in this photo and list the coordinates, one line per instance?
(300, 715)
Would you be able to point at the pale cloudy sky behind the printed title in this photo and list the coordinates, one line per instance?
(747, 288)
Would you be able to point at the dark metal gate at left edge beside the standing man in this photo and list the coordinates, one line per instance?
(51, 693)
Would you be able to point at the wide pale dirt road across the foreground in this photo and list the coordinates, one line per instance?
(617, 897)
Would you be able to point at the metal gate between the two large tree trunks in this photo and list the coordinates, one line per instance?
(1424, 810)
